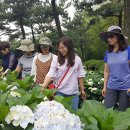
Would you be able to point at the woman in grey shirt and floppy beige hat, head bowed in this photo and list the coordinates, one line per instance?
(25, 62)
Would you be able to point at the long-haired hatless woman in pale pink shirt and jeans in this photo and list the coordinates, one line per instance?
(67, 58)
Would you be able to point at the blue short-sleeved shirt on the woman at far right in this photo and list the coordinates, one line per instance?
(119, 77)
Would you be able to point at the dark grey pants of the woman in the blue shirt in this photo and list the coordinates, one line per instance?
(114, 96)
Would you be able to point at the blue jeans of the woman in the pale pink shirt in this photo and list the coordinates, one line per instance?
(75, 99)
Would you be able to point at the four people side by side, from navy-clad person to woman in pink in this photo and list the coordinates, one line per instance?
(65, 69)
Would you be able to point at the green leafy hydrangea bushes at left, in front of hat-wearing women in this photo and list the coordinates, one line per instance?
(18, 92)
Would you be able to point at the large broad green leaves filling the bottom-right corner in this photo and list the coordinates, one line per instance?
(96, 117)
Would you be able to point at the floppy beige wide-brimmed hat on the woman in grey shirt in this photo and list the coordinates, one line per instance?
(26, 45)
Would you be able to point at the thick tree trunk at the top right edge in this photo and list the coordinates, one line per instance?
(127, 18)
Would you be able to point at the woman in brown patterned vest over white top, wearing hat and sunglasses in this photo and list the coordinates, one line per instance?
(42, 61)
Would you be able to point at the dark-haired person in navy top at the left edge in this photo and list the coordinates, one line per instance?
(9, 59)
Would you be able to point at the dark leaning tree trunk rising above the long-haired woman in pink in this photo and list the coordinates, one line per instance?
(56, 17)
